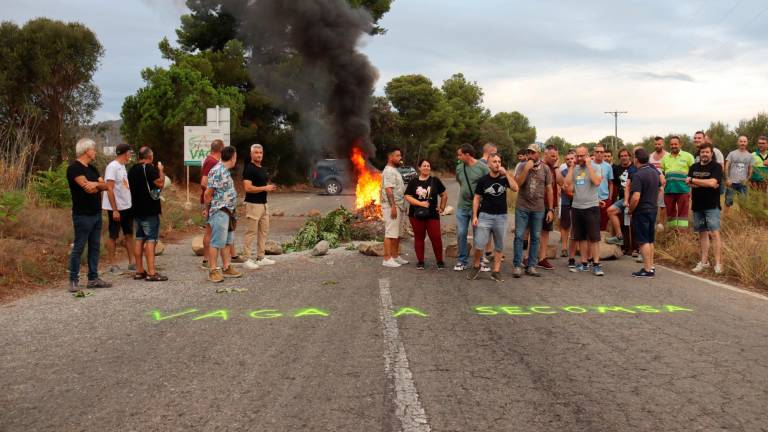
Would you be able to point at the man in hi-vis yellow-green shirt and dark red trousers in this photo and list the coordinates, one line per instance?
(677, 198)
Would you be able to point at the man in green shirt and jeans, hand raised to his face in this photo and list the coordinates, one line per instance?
(468, 171)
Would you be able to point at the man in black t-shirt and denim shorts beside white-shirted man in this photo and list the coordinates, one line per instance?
(145, 182)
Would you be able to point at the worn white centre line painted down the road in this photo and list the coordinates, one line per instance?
(408, 409)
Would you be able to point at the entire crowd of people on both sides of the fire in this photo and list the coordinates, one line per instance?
(583, 194)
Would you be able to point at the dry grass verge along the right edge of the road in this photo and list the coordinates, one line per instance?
(745, 249)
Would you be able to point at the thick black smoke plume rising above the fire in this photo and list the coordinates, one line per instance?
(304, 56)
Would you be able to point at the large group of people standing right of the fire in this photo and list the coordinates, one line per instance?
(586, 194)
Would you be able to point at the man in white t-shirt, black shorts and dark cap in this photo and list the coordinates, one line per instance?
(117, 202)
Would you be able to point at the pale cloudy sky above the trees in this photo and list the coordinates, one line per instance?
(673, 66)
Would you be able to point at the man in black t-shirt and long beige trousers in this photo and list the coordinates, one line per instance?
(256, 185)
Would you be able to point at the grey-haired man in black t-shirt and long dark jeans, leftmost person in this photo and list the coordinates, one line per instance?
(85, 186)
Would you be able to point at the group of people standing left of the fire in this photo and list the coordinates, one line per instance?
(132, 201)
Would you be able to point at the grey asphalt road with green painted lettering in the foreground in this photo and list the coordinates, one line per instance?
(339, 343)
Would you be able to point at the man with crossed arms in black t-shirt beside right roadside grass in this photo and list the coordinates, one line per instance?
(705, 178)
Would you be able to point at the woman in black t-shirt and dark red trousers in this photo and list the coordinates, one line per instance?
(424, 212)
